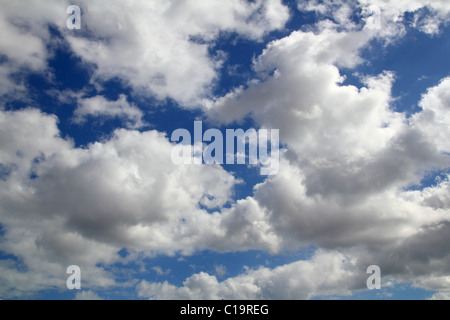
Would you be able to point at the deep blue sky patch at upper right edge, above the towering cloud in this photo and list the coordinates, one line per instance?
(419, 61)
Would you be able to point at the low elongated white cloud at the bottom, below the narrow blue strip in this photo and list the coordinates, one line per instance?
(326, 274)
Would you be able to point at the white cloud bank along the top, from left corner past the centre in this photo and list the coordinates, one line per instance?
(160, 48)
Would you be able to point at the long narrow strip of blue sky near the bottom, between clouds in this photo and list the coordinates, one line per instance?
(177, 268)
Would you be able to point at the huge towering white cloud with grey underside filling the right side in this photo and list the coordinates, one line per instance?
(350, 158)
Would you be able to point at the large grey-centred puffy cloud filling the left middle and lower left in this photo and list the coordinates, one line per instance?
(63, 205)
